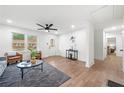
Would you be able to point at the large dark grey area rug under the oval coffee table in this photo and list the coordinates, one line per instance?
(50, 77)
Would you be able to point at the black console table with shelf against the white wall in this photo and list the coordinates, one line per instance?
(72, 54)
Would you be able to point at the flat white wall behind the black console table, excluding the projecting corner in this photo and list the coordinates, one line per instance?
(81, 43)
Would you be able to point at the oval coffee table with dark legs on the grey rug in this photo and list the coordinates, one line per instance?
(25, 65)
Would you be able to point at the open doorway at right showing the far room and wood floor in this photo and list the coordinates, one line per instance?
(113, 46)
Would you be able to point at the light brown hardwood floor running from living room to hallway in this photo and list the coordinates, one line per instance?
(96, 76)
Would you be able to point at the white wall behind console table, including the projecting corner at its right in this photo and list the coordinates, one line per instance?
(84, 44)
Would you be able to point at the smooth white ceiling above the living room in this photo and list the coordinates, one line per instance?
(61, 16)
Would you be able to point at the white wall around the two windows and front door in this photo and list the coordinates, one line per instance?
(43, 38)
